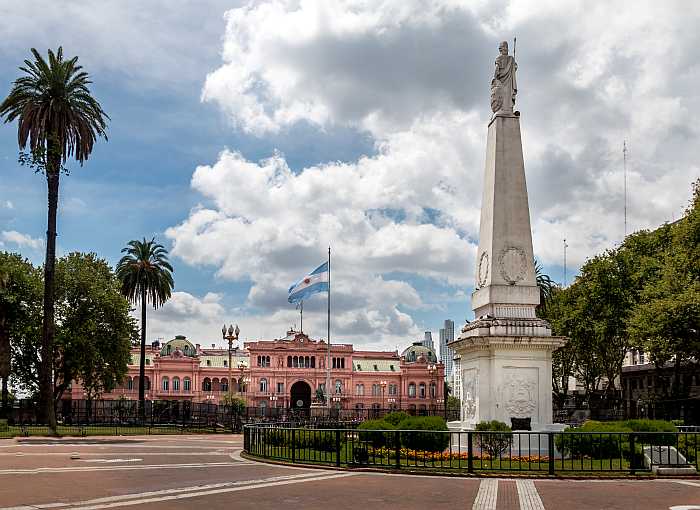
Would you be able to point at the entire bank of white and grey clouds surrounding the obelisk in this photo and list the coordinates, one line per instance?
(414, 77)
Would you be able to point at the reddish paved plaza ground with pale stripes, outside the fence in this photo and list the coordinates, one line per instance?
(207, 471)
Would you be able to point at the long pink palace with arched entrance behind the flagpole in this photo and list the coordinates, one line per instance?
(287, 372)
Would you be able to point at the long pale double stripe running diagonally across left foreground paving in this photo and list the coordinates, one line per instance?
(183, 493)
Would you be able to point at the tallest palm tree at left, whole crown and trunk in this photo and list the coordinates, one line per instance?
(59, 119)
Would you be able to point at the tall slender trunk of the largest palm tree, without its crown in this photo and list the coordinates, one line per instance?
(48, 328)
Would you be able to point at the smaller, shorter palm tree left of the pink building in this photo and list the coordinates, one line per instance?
(145, 275)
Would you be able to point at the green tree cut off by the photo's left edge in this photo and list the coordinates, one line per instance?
(20, 311)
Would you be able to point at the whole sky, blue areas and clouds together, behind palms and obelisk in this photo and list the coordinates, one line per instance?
(249, 137)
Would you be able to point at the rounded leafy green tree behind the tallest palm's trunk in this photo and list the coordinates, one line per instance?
(93, 330)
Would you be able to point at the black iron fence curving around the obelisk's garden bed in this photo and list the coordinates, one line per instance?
(551, 453)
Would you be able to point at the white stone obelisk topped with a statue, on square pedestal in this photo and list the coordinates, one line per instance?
(506, 352)
